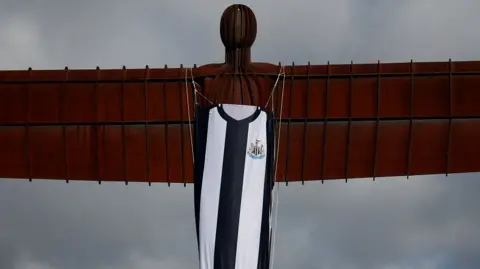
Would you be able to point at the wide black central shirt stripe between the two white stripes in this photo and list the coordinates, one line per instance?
(230, 194)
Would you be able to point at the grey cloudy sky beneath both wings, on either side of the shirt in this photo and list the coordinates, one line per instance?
(361, 224)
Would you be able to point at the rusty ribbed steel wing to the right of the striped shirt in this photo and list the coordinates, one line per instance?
(379, 120)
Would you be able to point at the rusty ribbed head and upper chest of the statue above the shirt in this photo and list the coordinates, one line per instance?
(237, 81)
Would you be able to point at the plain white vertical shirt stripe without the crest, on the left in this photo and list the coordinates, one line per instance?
(210, 193)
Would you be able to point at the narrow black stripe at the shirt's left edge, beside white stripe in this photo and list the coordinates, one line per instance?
(201, 132)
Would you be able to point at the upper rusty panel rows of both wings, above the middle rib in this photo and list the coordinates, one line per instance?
(428, 90)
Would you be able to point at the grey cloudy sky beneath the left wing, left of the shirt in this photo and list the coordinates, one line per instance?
(85, 225)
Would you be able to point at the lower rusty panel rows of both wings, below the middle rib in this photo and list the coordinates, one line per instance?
(162, 153)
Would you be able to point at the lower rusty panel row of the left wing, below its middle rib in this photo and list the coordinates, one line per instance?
(103, 153)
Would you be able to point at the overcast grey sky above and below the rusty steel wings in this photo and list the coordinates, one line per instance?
(421, 223)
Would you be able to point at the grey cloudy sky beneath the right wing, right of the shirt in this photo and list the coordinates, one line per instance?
(372, 225)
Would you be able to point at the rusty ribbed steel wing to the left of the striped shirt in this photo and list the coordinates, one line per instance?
(99, 125)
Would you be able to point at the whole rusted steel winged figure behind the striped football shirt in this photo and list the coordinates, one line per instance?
(338, 122)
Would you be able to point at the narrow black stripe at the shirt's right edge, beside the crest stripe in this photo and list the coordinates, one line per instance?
(264, 249)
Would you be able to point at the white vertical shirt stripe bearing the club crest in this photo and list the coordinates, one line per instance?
(251, 208)
